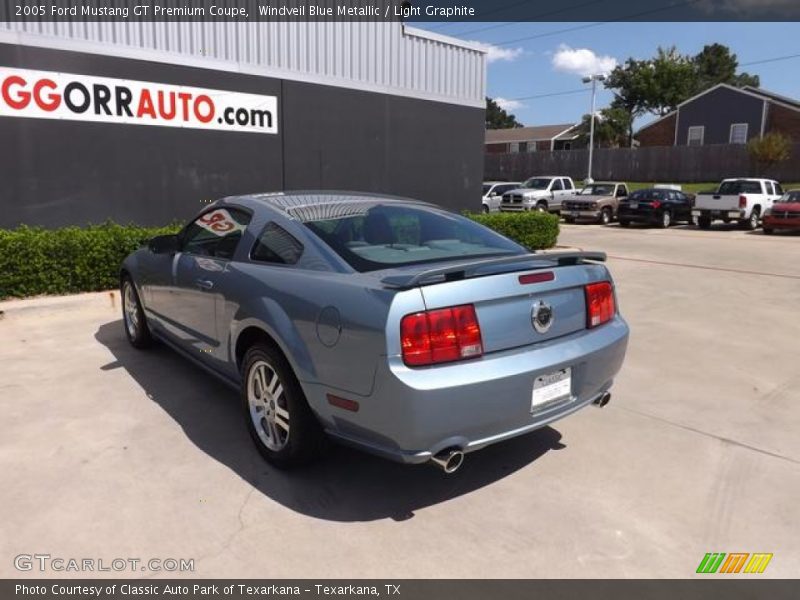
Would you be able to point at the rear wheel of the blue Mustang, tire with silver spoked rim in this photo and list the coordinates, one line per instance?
(280, 422)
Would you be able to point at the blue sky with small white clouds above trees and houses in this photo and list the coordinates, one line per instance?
(561, 53)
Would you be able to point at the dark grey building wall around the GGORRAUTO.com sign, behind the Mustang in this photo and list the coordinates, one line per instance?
(72, 172)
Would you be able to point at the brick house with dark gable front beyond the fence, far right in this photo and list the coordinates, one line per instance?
(724, 114)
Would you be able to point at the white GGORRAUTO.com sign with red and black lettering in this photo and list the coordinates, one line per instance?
(49, 95)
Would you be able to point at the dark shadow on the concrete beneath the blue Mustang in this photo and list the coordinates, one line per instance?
(346, 486)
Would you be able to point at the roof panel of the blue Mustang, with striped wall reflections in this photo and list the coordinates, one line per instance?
(320, 204)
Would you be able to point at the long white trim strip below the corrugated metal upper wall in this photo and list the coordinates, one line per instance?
(214, 64)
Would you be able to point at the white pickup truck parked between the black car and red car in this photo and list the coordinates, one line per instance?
(741, 199)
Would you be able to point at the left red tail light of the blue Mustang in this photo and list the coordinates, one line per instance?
(442, 335)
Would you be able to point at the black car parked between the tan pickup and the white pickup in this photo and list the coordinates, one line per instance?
(656, 206)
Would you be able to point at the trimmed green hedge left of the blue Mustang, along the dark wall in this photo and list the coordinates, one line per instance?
(36, 261)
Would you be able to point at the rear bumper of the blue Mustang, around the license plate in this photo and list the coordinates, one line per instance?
(415, 413)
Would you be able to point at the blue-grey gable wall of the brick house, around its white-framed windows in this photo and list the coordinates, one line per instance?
(717, 110)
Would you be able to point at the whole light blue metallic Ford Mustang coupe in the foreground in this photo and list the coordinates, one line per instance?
(385, 323)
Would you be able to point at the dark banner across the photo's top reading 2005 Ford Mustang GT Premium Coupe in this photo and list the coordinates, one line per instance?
(422, 11)
